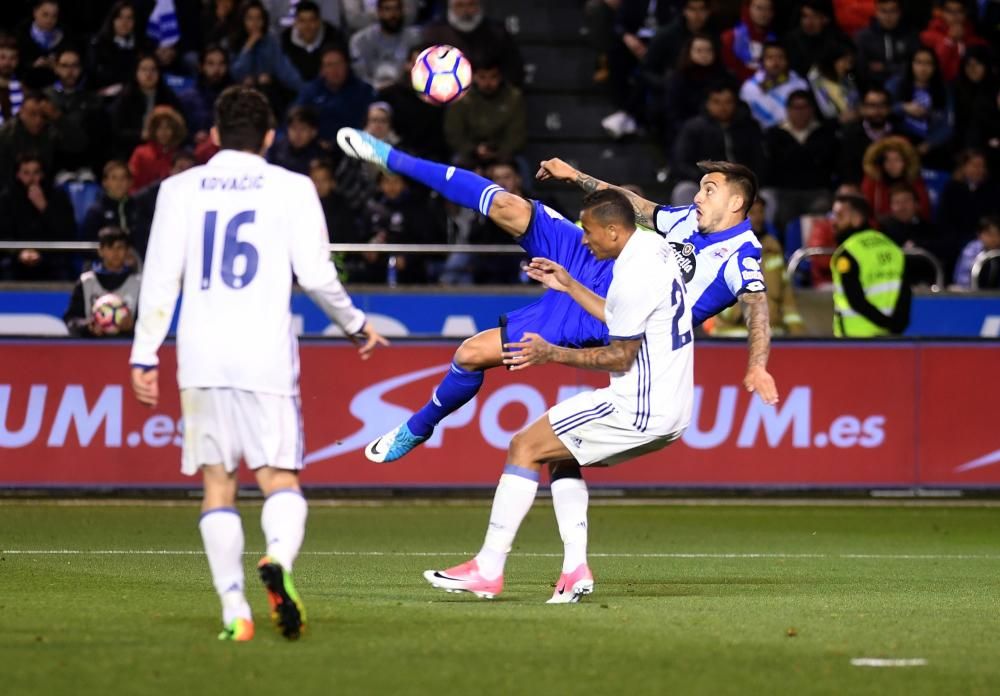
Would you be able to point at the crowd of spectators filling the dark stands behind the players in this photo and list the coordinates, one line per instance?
(899, 102)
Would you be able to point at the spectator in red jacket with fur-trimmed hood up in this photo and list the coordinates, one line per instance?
(887, 163)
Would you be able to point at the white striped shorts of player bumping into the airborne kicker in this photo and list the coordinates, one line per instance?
(597, 433)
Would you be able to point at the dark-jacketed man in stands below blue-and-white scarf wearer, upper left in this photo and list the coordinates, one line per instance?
(82, 120)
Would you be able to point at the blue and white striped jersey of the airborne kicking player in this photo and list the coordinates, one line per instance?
(717, 267)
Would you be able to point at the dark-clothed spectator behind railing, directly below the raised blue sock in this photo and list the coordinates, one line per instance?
(398, 214)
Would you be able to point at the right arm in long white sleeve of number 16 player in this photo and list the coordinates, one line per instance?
(317, 275)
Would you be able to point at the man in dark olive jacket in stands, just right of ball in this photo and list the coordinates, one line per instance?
(488, 124)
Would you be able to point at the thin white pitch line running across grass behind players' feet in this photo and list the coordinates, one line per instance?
(706, 556)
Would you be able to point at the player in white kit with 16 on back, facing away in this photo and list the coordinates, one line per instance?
(230, 235)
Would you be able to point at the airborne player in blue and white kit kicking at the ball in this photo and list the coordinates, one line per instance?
(731, 269)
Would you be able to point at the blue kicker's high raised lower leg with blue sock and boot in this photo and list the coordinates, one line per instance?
(459, 186)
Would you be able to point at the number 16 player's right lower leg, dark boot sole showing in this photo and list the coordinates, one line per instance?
(283, 521)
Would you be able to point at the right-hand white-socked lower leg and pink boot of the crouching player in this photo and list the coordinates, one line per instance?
(570, 499)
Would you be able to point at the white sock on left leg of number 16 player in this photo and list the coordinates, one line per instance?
(222, 535)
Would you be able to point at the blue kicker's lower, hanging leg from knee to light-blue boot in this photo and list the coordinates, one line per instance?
(459, 386)
